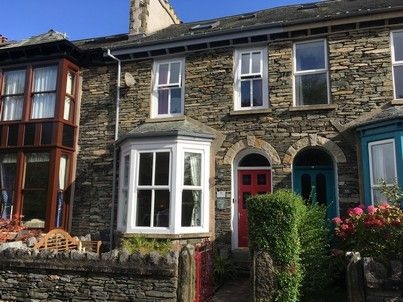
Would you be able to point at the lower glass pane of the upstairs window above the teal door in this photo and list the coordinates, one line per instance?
(311, 89)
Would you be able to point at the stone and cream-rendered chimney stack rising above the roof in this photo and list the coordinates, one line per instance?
(147, 16)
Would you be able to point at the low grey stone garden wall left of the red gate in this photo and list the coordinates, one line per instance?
(27, 275)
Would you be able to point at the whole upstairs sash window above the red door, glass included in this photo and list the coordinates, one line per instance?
(251, 83)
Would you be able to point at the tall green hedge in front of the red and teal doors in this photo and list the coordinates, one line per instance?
(296, 238)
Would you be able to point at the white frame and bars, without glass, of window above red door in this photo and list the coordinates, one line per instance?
(238, 77)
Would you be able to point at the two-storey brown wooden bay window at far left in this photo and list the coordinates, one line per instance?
(38, 133)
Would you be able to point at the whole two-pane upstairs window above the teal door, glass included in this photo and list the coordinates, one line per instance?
(311, 78)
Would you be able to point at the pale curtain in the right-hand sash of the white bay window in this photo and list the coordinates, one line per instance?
(195, 172)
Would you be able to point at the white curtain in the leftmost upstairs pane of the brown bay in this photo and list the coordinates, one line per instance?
(14, 84)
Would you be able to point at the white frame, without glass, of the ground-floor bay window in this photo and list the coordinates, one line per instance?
(177, 148)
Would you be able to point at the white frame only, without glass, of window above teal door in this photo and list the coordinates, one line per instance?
(324, 70)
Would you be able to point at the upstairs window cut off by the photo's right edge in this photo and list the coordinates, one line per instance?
(397, 60)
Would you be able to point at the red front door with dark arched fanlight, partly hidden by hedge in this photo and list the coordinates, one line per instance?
(253, 177)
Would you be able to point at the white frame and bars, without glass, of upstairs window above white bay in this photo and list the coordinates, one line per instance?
(156, 87)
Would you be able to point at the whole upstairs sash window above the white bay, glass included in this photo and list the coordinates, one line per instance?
(168, 91)
